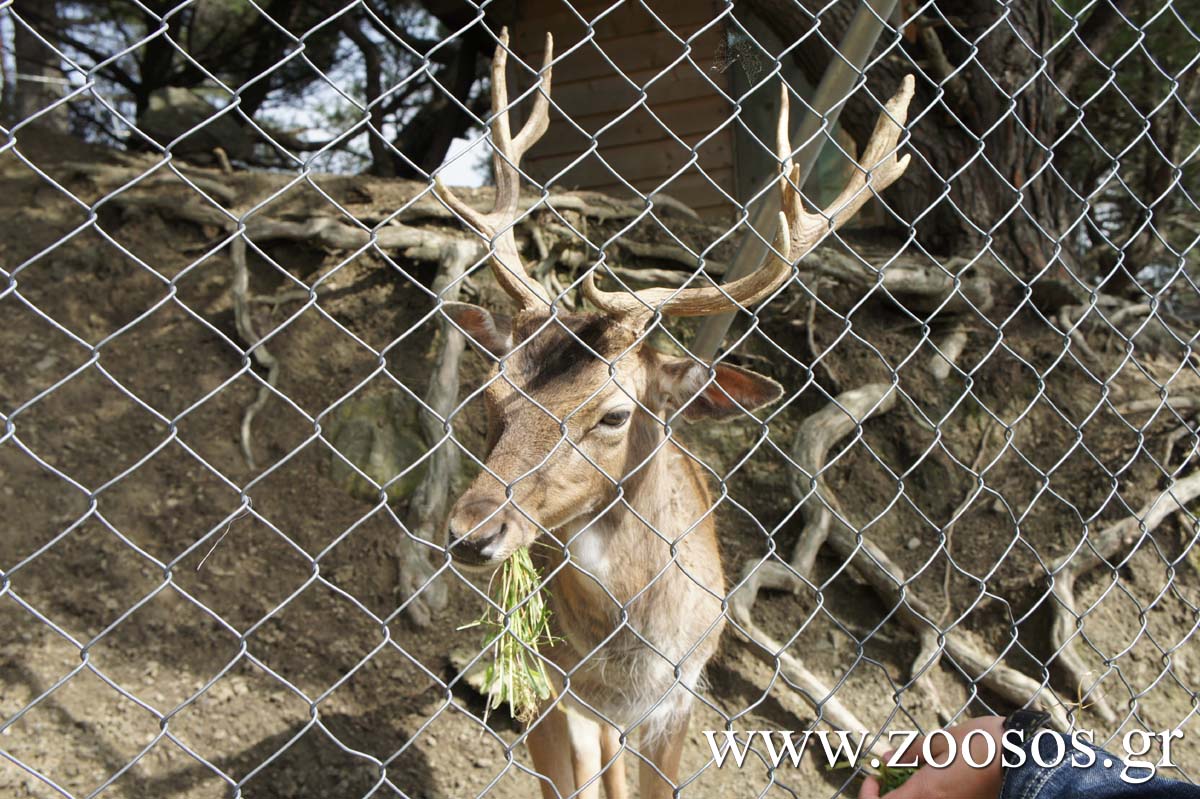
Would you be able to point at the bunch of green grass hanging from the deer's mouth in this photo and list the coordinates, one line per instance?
(515, 630)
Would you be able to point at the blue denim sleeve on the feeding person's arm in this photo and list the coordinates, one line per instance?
(1072, 778)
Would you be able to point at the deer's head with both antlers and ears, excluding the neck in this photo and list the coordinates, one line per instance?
(579, 404)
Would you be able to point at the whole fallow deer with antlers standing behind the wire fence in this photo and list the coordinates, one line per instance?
(581, 450)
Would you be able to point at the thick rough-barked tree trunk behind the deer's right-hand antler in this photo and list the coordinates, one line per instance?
(983, 148)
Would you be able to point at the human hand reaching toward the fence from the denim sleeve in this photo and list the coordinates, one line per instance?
(959, 780)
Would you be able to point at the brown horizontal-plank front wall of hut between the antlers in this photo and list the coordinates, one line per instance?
(613, 135)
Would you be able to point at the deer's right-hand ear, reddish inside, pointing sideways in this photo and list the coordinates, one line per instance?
(730, 392)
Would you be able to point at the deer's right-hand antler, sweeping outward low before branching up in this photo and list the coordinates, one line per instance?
(800, 232)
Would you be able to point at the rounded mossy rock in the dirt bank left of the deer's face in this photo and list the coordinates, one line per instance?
(379, 434)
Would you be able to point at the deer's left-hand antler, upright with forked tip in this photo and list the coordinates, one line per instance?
(507, 153)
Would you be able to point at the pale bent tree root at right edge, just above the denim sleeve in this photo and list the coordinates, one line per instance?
(1106, 546)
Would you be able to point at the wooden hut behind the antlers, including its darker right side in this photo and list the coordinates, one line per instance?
(657, 97)
